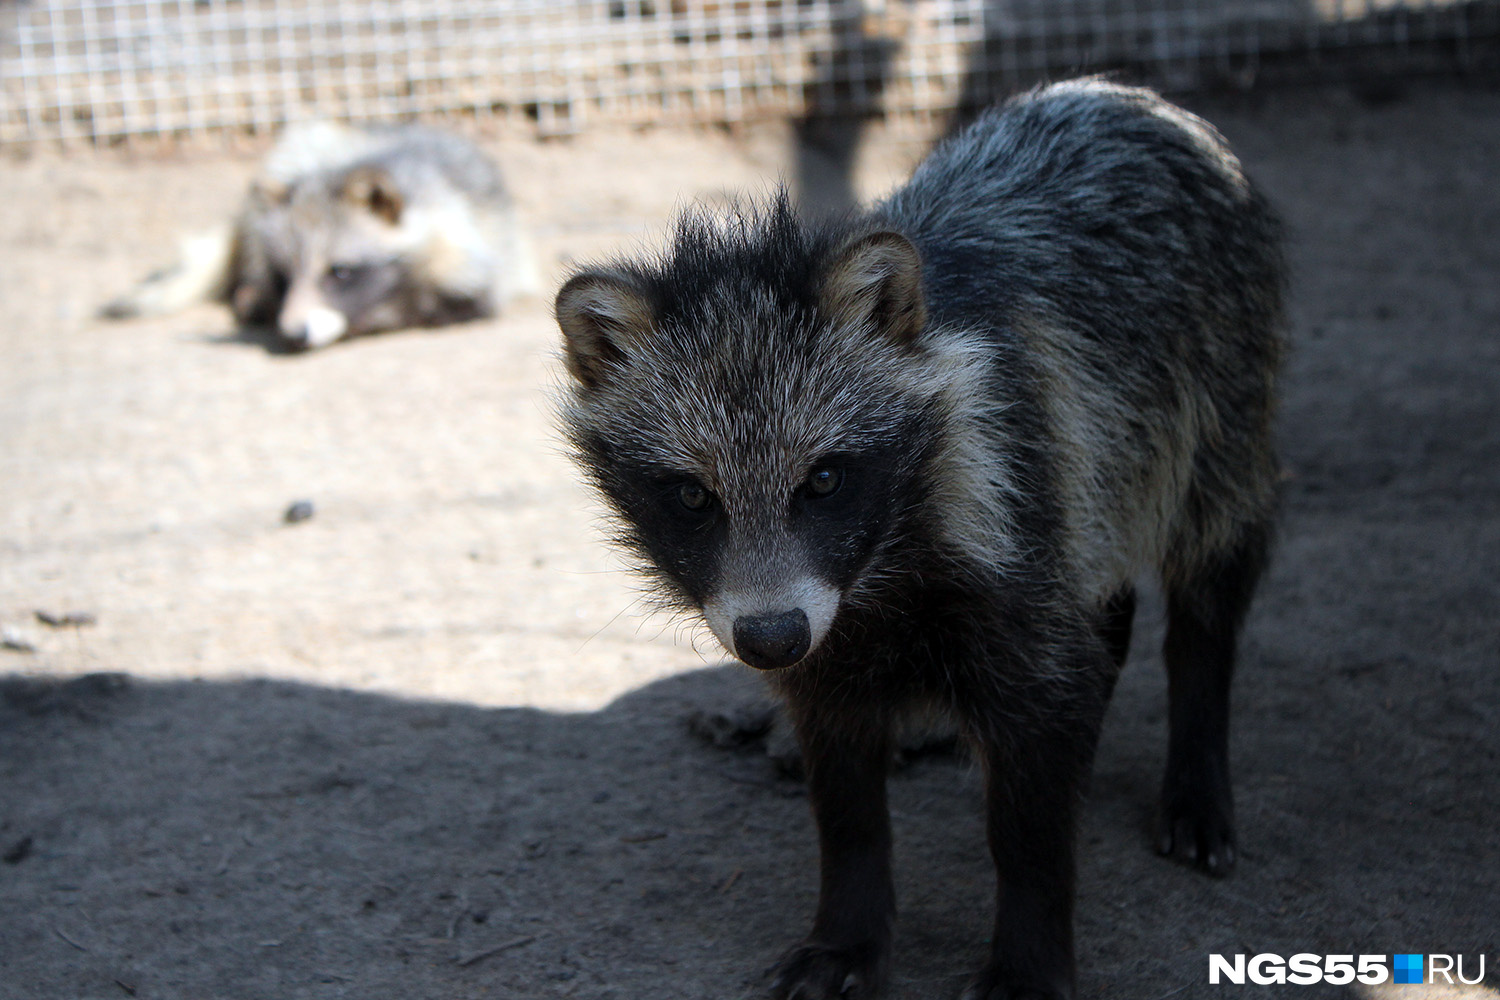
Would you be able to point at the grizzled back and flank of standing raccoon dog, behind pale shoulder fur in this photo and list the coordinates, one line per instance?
(1117, 242)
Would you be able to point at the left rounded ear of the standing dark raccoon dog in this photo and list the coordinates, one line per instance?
(602, 316)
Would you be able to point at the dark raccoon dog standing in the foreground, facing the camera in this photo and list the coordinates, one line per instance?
(916, 460)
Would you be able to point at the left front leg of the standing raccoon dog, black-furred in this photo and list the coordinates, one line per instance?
(845, 956)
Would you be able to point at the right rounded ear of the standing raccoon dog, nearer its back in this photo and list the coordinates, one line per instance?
(878, 281)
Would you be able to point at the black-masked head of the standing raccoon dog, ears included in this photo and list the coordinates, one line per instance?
(760, 410)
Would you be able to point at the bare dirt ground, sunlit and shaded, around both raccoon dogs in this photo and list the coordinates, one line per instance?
(425, 746)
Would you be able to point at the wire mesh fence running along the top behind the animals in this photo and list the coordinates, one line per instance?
(106, 70)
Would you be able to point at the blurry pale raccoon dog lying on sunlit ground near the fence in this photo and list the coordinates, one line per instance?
(352, 232)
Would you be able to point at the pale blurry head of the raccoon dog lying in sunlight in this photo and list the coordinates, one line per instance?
(344, 248)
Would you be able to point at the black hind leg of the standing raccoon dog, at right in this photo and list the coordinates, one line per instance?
(1205, 612)
